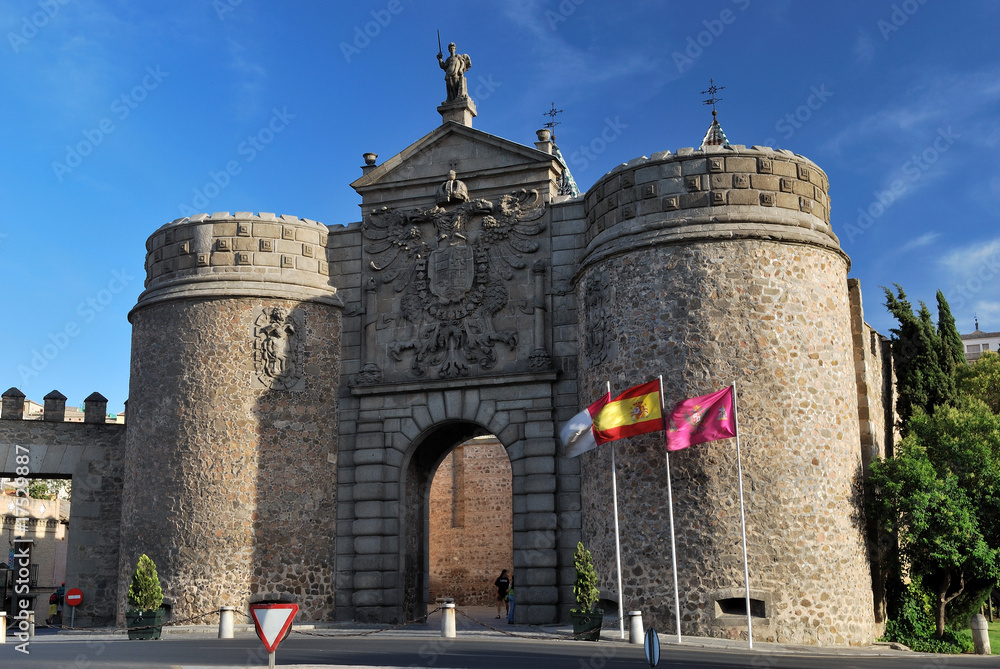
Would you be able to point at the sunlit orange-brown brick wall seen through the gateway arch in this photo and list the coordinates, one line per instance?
(470, 523)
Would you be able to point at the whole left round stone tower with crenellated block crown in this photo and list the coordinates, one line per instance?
(231, 455)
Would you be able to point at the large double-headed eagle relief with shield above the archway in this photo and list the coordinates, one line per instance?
(451, 265)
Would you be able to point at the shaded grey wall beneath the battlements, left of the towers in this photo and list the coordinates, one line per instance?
(93, 455)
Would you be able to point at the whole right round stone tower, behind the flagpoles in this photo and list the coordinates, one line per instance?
(715, 266)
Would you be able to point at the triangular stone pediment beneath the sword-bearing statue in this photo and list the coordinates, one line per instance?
(486, 163)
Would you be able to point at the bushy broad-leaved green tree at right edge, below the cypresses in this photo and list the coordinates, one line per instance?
(940, 496)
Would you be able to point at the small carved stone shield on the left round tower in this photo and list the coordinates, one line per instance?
(278, 349)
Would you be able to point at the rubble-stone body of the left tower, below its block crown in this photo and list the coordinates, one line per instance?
(230, 488)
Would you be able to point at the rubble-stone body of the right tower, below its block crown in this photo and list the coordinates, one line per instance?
(775, 322)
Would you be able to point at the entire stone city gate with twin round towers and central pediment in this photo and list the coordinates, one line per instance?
(294, 386)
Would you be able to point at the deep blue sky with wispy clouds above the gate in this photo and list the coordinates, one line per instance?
(121, 116)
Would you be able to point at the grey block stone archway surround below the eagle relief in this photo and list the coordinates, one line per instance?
(396, 441)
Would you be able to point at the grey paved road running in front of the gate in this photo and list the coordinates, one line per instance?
(202, 651)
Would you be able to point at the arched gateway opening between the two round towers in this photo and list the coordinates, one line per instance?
(438, 452)
